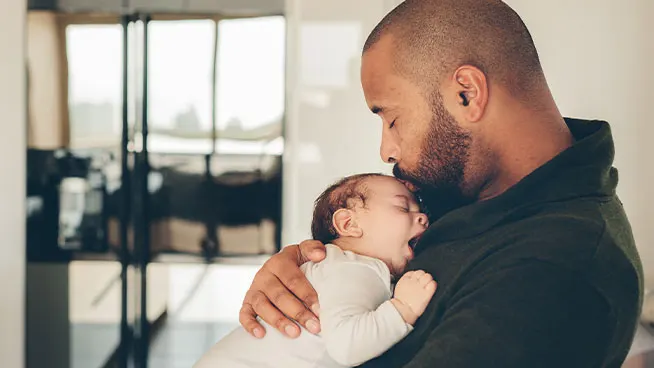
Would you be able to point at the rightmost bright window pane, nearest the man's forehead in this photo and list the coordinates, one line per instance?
(251, 62)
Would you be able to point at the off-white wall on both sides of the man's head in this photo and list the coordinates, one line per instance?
(597, 54)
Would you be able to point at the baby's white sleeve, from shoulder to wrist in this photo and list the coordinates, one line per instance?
(358, 320)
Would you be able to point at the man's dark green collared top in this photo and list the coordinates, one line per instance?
(544, 275)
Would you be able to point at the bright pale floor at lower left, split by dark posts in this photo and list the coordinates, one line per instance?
(202, 302)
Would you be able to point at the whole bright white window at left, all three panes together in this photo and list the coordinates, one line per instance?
(250, 84)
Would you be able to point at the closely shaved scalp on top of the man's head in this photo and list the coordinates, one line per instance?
(432, 38)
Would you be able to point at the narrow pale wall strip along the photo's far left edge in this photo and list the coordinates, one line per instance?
(12, 185)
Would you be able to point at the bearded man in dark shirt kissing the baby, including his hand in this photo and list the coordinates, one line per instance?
(531, 248)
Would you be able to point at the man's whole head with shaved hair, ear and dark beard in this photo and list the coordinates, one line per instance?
(452, 80)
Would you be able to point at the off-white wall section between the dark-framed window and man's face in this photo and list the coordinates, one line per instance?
(330, 132)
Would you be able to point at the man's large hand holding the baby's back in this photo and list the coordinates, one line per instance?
(280, 289)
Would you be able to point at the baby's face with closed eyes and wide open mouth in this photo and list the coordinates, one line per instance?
(391, 222)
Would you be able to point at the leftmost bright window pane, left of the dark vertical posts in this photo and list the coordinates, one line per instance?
(94, 84)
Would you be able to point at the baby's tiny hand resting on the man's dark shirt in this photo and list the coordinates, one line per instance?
(412, 294)
